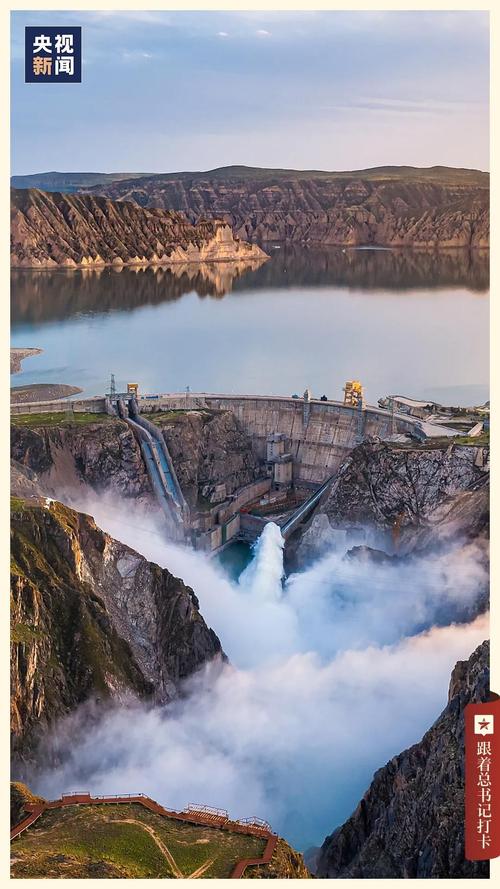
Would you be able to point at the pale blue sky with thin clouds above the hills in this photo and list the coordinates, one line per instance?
(173, 91)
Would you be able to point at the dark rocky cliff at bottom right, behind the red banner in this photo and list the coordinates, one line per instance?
(410, 823)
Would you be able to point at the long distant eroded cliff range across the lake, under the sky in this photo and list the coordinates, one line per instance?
(397, 207)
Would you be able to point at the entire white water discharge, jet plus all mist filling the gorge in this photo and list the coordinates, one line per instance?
(332, 673)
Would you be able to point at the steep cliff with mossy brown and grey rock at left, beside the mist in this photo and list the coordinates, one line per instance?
(90, 618)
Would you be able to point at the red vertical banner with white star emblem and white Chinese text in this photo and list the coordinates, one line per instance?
(482, 781)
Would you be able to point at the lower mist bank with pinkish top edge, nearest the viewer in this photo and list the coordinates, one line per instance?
(296, 743)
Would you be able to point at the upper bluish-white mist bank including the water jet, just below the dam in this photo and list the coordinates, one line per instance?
(332, 605)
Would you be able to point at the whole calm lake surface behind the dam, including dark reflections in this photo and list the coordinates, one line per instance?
(406, 323)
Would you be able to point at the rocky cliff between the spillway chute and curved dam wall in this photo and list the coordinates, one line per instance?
(208, 449)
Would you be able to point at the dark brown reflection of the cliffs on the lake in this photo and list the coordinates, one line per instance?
(49, 295)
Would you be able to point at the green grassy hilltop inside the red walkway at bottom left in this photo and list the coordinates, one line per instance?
(74, 841)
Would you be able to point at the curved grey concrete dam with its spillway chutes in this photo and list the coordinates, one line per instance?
(298, 442)
